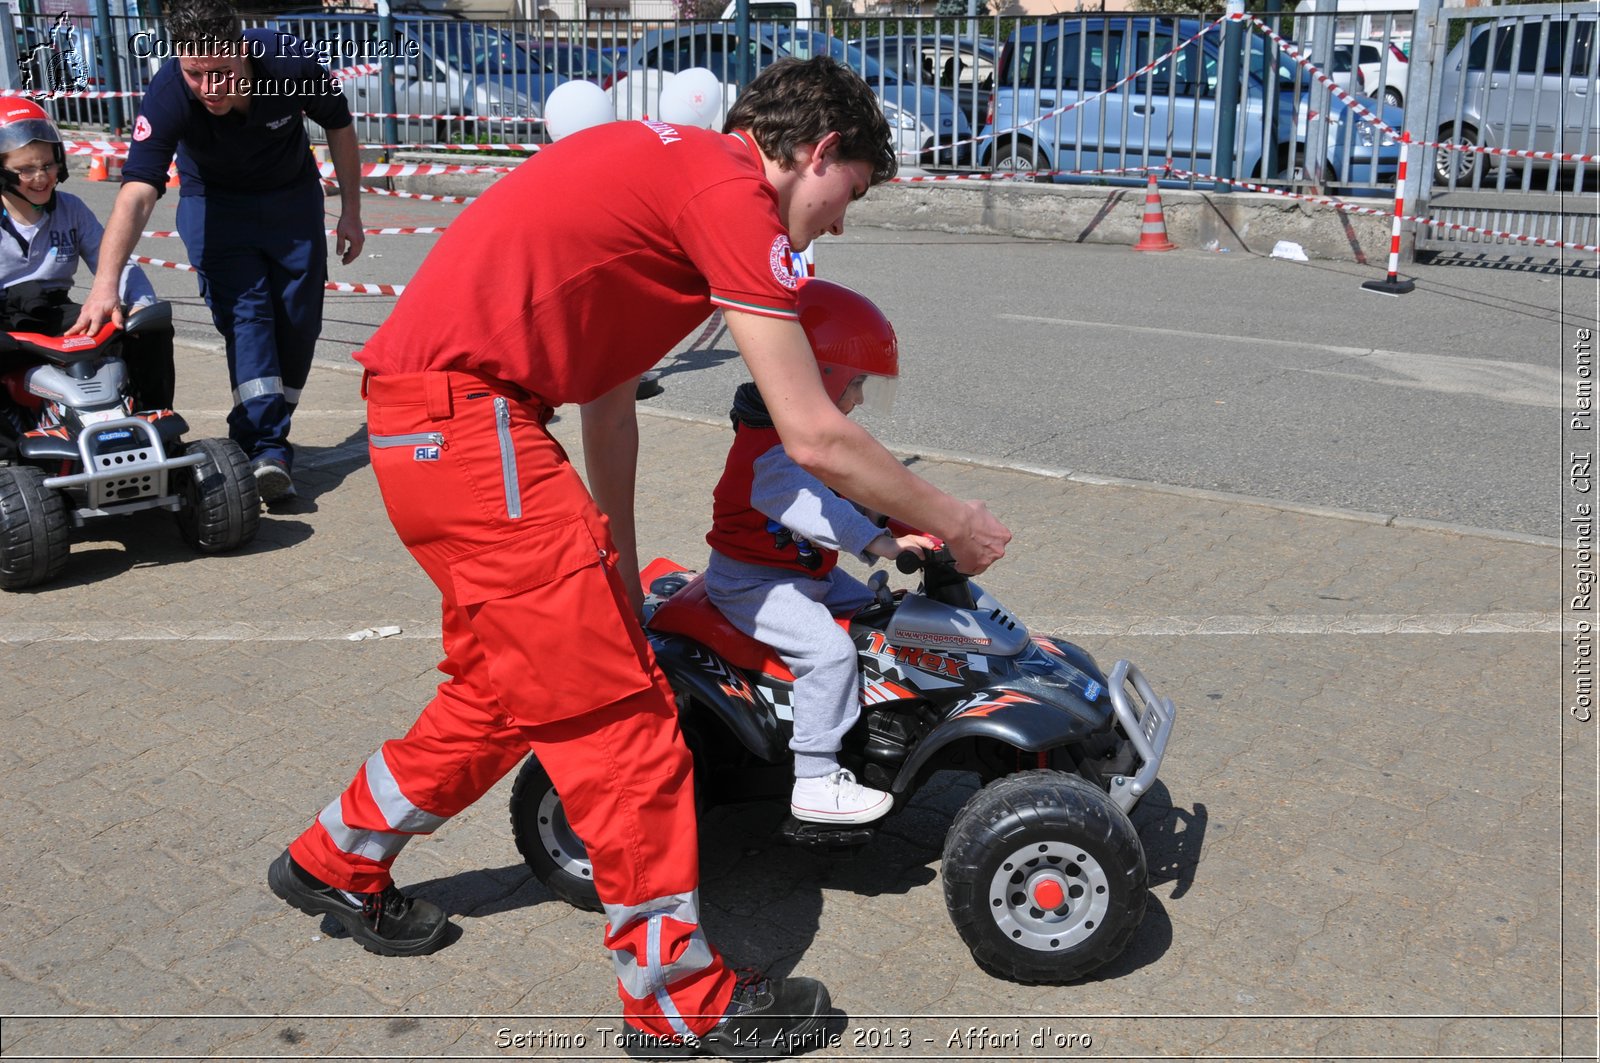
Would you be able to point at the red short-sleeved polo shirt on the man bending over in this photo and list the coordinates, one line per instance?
(588, 263)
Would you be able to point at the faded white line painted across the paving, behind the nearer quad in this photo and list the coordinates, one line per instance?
(25, 632)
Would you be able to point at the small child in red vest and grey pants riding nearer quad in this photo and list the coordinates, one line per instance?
(777, 536)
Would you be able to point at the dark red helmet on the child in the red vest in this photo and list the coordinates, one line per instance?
(850, 339)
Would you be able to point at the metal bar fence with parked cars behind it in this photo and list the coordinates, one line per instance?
(1073, 98)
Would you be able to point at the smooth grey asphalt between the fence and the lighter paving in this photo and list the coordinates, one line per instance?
(1210, 371)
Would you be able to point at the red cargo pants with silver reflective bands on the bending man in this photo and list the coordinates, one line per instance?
(543, 654)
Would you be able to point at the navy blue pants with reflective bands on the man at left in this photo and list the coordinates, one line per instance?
(263, 265)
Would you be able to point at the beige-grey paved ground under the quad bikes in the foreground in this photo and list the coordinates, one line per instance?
(1375, 833)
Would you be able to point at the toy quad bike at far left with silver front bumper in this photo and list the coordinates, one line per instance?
(86, 454)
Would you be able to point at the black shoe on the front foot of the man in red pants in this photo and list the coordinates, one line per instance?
(766, 1019)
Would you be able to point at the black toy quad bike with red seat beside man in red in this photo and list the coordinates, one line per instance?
(1044, 873)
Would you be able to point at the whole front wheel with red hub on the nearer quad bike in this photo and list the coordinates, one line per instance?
(1044, 878)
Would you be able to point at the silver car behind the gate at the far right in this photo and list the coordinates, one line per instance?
(1519, 84)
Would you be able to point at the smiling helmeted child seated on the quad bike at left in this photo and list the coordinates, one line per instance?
(44, 235)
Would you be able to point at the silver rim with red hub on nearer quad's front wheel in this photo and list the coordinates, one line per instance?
(1049, 897)
